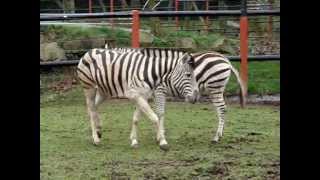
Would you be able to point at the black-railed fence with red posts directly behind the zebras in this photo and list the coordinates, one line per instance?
(135, 14)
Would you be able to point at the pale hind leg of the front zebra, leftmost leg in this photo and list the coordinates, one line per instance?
(93, 114)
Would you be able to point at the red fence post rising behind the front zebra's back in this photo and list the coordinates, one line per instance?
(135, 29)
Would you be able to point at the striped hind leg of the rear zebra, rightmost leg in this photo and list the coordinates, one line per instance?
(220, 105)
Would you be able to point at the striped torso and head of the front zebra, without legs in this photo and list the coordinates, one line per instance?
(114, 73)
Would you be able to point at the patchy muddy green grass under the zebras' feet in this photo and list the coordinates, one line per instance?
(249, 148)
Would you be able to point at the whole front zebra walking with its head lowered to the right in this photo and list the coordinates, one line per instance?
(109, 74)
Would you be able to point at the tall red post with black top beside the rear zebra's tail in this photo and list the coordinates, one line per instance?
(244, 46)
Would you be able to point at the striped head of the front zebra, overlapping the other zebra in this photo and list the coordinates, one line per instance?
(183, 80)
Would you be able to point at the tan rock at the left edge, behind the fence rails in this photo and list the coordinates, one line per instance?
(51, 51)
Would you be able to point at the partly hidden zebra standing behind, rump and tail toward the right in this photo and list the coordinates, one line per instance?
(212, 71)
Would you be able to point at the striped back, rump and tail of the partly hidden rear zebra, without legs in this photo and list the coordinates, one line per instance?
(212, 69)
